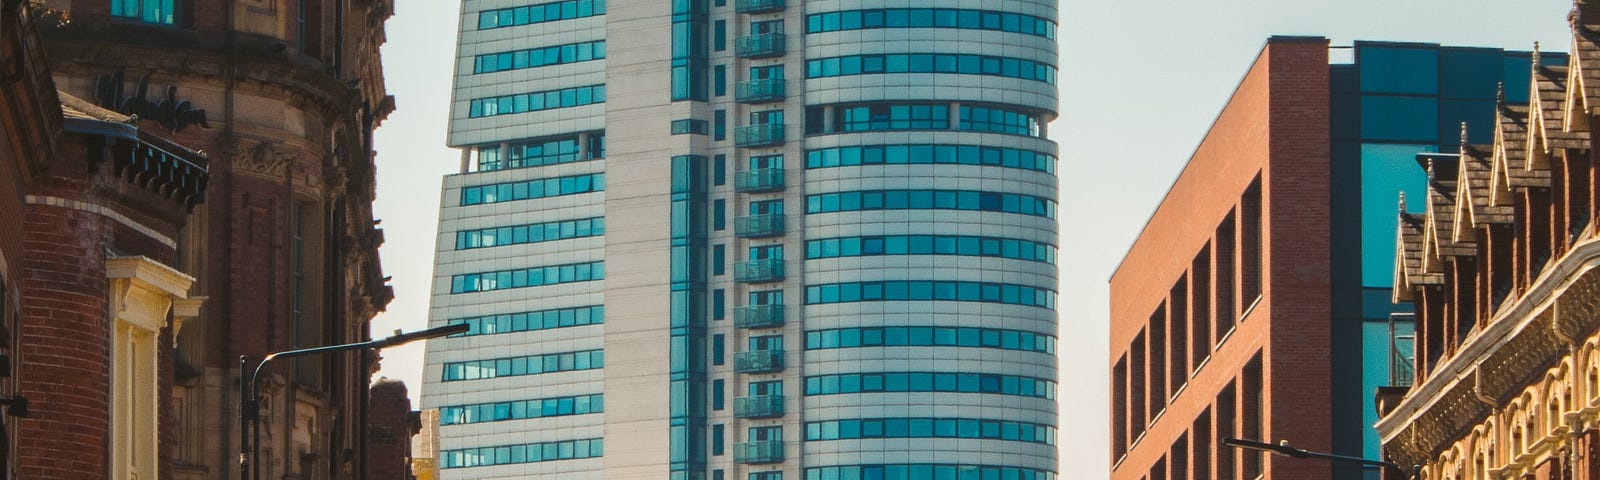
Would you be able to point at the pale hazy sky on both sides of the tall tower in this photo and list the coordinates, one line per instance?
(1140, 86)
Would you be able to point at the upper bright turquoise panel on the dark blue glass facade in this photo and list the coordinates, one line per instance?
(1386, 172)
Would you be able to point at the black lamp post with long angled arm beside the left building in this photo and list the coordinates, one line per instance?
(249, 396)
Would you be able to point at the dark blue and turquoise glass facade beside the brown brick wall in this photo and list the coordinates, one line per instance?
(1394, 102)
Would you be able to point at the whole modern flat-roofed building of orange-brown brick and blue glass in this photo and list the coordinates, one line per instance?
(1257, 302)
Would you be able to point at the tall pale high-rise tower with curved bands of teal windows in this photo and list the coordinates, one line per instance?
(750, 239)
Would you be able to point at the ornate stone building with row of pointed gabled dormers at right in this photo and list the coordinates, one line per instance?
(1502, 268)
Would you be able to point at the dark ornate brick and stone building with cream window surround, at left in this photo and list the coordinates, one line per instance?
(276, 102)
